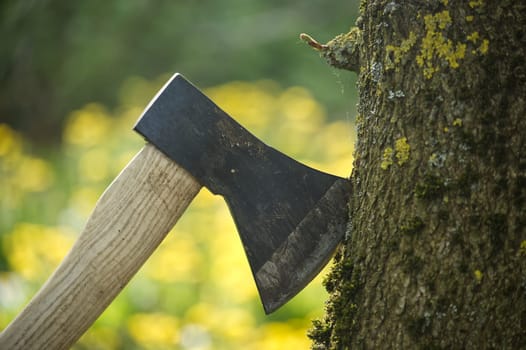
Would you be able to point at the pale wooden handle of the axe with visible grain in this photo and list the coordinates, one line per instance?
(129, 221)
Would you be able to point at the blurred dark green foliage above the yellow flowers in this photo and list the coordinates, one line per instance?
(57, 55)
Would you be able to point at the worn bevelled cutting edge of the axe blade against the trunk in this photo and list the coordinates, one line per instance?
(306, 251)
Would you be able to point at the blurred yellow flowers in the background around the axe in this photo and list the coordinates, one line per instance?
(196, 291)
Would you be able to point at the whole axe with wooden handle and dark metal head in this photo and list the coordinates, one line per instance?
(290, 217)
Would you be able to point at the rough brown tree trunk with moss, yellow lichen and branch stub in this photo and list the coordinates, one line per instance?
(436, 251)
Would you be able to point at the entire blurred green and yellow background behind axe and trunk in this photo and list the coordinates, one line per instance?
(74, 78)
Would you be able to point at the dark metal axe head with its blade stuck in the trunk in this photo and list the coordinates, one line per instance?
(290, 217)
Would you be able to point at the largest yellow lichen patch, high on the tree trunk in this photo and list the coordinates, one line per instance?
(435, 45)
